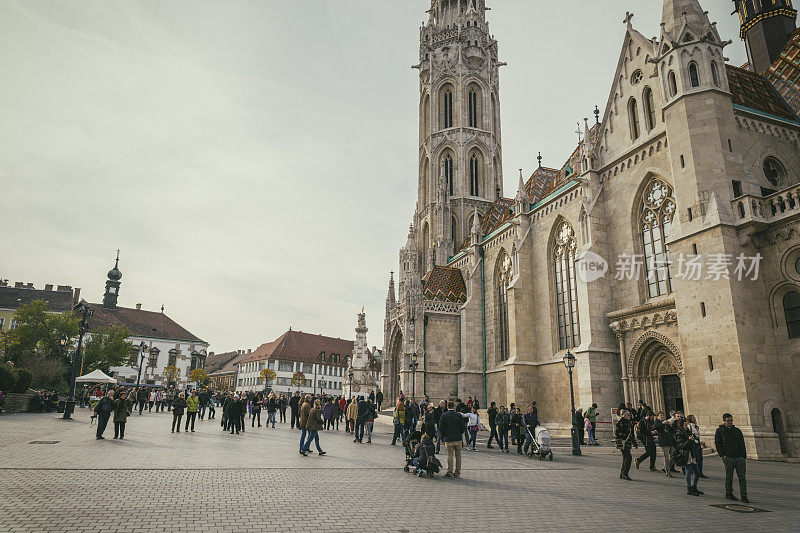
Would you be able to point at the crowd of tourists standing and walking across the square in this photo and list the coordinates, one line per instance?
(455, 424)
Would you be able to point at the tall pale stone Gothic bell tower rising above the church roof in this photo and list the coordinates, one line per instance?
(460, 163)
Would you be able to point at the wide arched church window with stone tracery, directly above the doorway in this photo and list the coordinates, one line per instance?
(655, 220)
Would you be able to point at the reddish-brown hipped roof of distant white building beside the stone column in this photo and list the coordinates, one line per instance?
(303, 347)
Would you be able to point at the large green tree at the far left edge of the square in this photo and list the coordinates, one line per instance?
(39, 331)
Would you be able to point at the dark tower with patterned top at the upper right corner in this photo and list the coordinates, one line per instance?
(765, 28)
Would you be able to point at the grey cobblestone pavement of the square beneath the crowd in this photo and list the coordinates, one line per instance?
(211, 481)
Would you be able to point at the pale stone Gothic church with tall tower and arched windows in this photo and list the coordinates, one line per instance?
(692, 166)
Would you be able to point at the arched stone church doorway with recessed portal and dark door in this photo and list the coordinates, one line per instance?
(655, 373)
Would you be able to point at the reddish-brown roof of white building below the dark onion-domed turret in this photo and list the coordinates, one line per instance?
(141, 323)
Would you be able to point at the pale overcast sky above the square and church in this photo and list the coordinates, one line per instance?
(255, 161)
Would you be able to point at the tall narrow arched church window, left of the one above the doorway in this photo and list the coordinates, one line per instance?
(564, 247)
